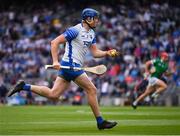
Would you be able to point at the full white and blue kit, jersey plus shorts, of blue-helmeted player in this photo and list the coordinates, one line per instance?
(78, 42)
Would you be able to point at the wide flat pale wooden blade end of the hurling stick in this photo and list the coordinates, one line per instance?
(99, 70)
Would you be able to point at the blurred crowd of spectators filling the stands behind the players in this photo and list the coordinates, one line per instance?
(139, 30)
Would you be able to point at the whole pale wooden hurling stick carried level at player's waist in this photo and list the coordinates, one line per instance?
(100, 69)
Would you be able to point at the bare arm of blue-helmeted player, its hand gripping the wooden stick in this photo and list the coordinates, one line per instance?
(54, 49)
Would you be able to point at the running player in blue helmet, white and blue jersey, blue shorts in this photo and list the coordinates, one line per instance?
(78, 39)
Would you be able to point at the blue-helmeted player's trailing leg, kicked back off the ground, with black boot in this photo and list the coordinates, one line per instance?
(60, 85)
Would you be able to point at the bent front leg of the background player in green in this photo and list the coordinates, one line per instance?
(161, 86)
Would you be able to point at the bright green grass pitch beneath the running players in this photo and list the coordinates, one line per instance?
(79, 120)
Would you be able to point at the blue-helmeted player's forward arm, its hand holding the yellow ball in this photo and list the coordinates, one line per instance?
(97, 53)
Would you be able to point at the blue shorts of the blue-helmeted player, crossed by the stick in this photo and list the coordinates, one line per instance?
(69, 74)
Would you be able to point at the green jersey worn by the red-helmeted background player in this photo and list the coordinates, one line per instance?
(160, 67)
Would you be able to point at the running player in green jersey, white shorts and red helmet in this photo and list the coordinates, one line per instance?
(153, 75)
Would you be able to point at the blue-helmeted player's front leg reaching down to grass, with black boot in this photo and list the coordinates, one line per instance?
(84, 82)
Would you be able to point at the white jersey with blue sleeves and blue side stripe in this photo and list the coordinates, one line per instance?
(78, 42)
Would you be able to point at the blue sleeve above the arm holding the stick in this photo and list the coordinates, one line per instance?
(70, 34)
